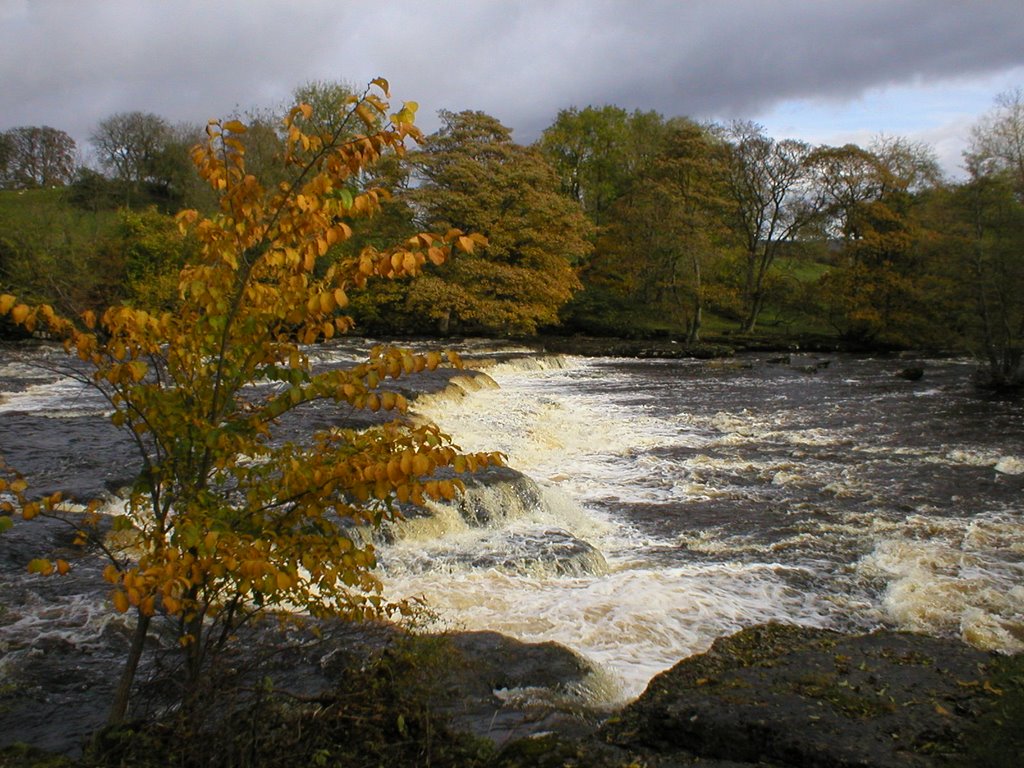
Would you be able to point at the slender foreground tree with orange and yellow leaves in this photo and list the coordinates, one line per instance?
(229, 519)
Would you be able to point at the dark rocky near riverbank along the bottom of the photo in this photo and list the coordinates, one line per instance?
(772, 695)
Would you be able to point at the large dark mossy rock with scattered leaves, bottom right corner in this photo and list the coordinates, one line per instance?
(793, 697)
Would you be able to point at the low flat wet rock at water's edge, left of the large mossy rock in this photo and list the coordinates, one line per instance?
(483, 684)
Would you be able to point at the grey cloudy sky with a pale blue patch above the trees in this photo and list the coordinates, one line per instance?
(825, 71)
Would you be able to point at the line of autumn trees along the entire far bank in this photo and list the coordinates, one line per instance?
(613, 224)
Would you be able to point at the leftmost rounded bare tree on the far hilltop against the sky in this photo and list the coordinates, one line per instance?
(36, 157)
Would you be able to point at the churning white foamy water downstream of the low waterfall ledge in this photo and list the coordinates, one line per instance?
(826, 542)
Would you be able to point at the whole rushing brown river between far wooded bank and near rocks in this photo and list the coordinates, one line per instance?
(665, 504)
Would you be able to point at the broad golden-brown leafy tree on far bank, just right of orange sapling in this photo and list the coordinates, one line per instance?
(473, 177)
